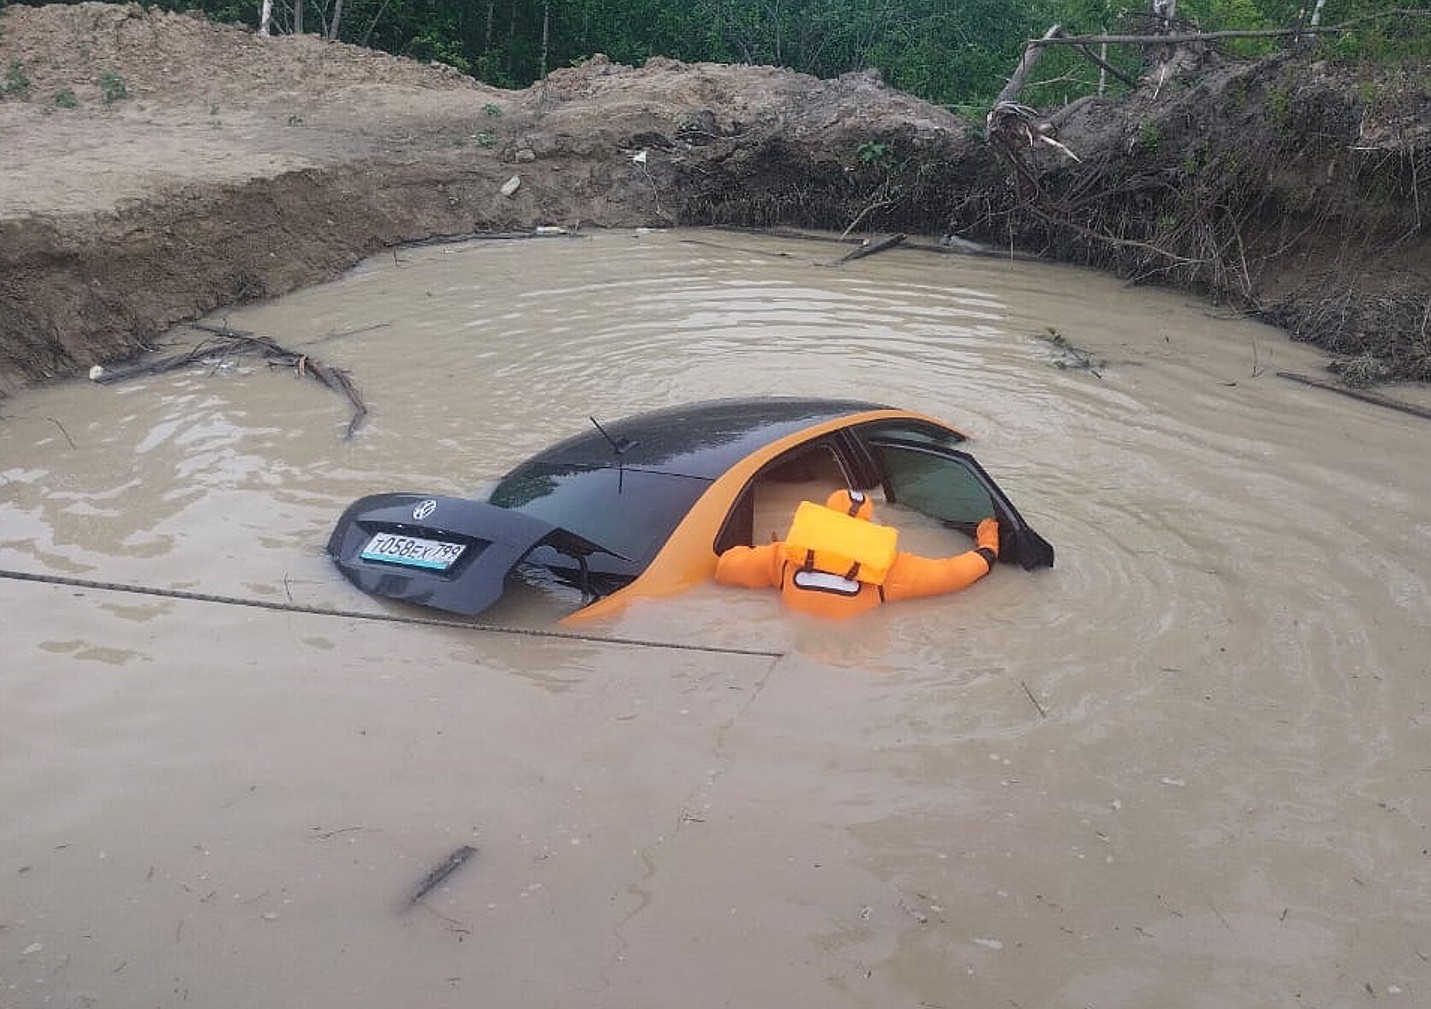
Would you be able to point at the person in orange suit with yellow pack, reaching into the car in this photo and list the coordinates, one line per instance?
(836, 563)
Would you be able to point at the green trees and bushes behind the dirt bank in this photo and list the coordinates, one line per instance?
(954, 54)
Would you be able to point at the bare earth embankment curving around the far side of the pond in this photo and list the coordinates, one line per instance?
(157, 167)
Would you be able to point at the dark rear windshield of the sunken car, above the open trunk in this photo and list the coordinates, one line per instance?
(625, 510)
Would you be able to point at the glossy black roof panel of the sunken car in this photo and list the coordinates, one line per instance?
(696, 440)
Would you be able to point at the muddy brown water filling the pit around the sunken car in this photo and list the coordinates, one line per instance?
(1190, 766)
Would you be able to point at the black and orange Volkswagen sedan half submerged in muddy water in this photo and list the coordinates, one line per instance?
(645, 506)
